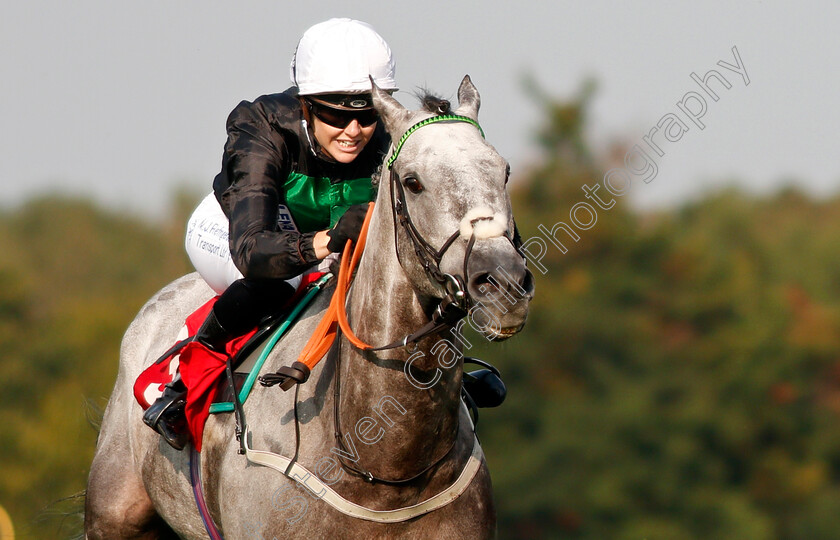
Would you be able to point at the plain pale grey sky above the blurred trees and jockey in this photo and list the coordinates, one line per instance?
(126, 102)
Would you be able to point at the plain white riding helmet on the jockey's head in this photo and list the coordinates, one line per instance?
(339, 56)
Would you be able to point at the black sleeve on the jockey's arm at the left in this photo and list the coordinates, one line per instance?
(256, 161)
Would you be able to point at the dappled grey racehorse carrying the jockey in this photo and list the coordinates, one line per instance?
(384, 429)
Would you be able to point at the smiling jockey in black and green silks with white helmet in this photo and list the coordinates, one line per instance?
(293, 188)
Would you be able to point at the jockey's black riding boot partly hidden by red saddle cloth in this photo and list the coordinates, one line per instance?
(166, 414)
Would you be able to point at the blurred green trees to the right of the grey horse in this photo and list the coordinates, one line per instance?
(678, 377)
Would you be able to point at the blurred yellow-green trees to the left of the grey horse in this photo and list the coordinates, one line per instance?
(71, 279)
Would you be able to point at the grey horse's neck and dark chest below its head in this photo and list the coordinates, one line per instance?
(384, 308)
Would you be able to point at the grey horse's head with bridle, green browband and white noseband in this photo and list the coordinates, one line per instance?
(454, 224)
